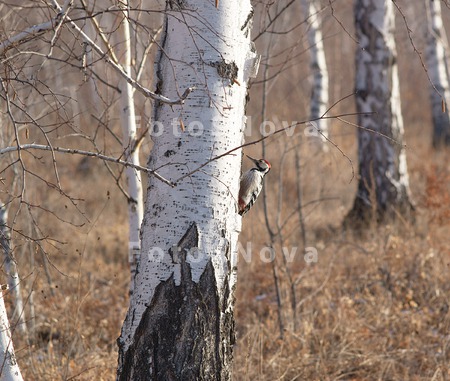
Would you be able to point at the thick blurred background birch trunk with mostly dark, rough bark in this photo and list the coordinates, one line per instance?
(383, 186)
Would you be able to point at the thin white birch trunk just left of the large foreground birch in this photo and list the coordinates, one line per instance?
(131, 149)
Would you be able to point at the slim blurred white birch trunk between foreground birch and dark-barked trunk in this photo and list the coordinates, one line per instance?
(318, 65)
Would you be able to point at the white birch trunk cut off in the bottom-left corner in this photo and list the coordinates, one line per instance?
(9, 369)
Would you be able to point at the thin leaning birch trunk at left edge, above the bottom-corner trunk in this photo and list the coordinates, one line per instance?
(11, 271)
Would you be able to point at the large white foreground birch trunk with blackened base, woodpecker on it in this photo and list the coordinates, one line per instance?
(180, 323)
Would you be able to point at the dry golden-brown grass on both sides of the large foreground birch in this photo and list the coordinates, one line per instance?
(374, 307)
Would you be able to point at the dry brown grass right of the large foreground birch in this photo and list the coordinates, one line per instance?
(374, 307)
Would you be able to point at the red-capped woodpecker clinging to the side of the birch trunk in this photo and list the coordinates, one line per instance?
(251, 184)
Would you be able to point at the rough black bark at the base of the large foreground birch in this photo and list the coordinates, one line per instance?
(179, 336)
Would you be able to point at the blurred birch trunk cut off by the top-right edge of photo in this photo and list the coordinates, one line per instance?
(435, 51)
